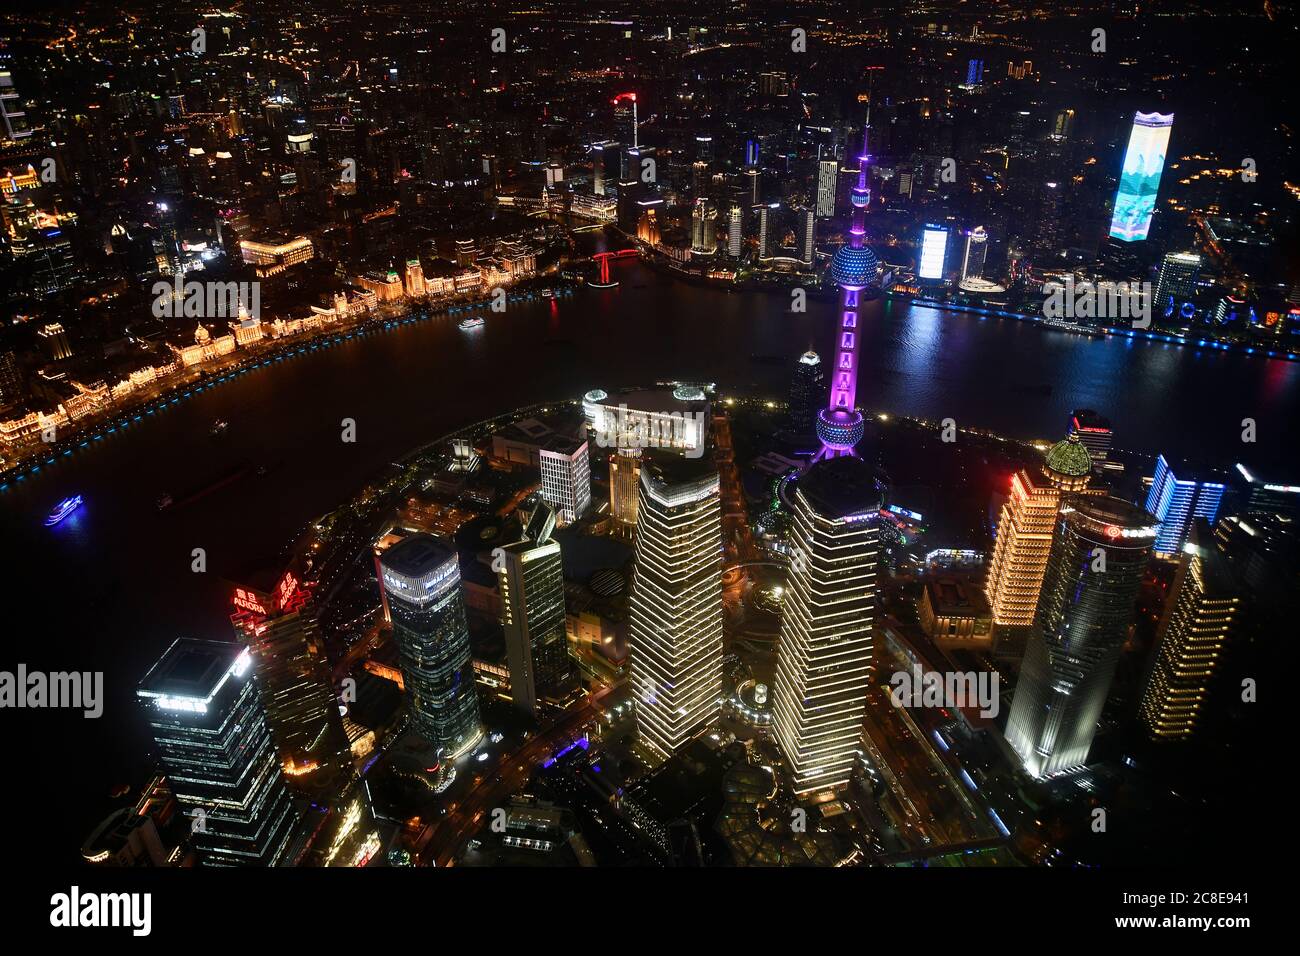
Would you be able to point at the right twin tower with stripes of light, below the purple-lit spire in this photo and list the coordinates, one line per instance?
(829, 615)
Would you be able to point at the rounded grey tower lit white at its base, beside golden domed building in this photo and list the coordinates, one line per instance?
(1099, 556)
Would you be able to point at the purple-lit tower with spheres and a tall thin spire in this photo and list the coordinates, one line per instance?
(853, 269)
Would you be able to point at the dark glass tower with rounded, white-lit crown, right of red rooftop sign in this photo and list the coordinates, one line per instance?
(422, 585)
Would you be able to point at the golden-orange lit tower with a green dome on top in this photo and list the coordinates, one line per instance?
(1025, 533)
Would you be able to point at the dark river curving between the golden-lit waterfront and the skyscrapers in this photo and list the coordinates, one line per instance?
(112, 587)
